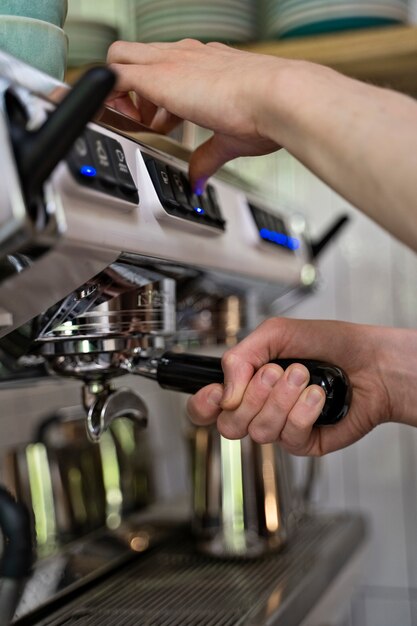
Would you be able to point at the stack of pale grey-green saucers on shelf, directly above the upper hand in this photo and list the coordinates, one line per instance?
(230, 21)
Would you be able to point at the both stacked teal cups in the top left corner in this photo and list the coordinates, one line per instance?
(31, 30)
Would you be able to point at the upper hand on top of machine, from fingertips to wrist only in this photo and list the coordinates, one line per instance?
(211, 85)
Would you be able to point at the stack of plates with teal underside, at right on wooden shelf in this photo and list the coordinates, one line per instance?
(295, 18)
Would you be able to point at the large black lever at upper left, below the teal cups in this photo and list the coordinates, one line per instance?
(38, 152)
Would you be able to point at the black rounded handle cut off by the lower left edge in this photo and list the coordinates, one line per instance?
(16, 527)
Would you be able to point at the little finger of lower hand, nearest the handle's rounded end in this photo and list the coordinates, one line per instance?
(296, 433)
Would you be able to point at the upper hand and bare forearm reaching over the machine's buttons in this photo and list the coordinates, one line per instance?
(255, 103)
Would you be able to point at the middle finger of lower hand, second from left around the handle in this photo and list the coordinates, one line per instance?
(234, 424)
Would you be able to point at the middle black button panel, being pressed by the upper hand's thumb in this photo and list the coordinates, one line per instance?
(177, 198)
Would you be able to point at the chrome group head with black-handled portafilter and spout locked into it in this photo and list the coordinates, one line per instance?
(122, 322)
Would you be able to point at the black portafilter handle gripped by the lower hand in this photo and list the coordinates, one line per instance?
(189, 373)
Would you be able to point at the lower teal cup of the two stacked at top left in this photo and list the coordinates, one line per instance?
(35, 42)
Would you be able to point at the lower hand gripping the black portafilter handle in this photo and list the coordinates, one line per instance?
(272, 405)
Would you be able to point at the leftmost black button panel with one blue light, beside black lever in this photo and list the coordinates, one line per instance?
(99, 162)
